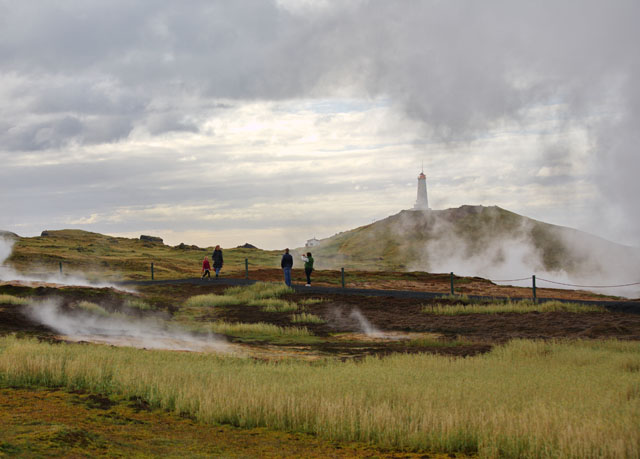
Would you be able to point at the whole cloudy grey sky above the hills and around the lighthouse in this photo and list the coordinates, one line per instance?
(274, 121)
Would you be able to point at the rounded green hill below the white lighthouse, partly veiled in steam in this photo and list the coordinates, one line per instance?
(428, 240)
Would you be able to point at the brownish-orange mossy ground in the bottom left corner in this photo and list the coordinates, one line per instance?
(57, 423)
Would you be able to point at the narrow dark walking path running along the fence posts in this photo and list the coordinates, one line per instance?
(620, 306)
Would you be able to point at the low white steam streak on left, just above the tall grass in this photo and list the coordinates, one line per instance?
(120, 330)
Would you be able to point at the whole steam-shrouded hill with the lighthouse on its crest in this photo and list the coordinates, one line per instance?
(491, 243)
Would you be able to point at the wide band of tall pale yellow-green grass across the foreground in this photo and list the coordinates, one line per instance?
(526, 399)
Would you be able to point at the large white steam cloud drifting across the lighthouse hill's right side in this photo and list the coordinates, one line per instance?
(555, 254)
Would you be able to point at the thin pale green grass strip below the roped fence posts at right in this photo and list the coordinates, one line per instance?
(520, 307)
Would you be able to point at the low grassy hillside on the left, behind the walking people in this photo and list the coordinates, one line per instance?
(104, 257)
